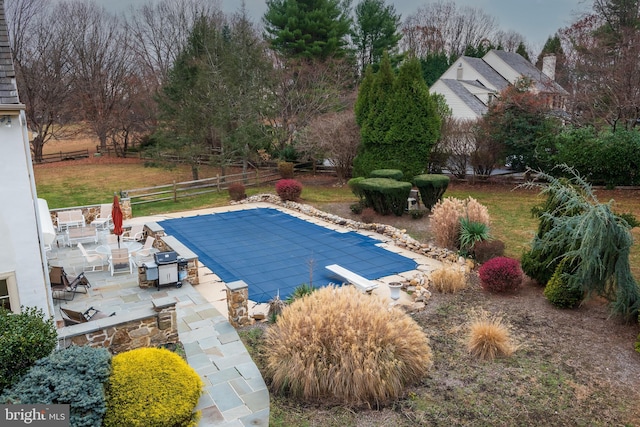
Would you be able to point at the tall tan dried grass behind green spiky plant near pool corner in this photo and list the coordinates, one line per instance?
(445, 219)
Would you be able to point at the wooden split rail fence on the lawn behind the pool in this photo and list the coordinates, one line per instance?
(179, 190)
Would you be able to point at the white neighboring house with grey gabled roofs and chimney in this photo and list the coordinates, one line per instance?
(470, 84)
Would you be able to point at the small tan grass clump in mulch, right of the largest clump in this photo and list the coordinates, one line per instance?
(489, 337)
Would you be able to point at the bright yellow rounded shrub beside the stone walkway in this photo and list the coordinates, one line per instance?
(151, 387)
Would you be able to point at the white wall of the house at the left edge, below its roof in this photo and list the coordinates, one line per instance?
(21, 253)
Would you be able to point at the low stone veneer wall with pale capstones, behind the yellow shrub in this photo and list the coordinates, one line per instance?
(127, 331)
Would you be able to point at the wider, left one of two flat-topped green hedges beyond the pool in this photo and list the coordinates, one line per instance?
(385, 195)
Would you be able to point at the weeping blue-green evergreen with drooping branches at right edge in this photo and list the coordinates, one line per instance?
(592, 237)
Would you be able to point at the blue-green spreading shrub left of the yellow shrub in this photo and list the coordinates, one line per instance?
(73, 376)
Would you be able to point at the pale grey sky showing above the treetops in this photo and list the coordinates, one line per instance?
(536, 20)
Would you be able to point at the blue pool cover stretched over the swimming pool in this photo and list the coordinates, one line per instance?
(274, 252)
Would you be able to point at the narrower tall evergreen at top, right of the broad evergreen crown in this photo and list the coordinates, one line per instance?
(376, 31)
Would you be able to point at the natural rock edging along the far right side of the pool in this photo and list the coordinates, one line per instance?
(398, 237)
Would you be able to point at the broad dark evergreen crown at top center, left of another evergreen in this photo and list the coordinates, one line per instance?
(308, 28)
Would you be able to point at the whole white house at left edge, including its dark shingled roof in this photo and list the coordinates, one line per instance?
(24, 278)
